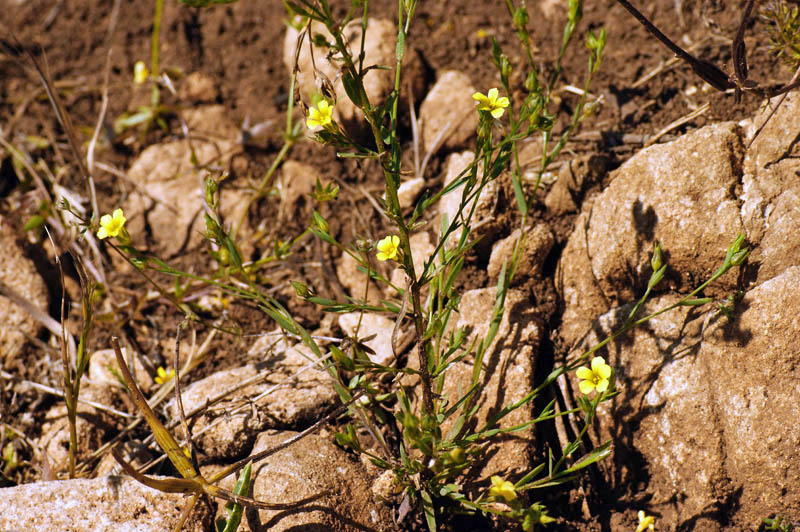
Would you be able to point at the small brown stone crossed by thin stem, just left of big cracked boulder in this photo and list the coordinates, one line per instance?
(538, 243)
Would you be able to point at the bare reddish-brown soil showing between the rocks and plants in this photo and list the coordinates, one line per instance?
(240, 47)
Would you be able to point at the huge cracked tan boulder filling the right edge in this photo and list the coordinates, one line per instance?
(705, 418)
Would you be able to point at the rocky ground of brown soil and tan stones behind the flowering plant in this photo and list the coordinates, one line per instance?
(704, 429)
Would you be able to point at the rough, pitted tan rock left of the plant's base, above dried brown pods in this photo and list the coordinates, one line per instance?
(289, 394)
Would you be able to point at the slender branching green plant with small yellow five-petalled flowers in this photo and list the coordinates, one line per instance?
(439, 437)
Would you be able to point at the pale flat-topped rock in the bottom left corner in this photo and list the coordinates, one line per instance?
(98, 504)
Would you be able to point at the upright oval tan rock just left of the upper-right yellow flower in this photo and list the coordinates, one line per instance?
(448, 113)
